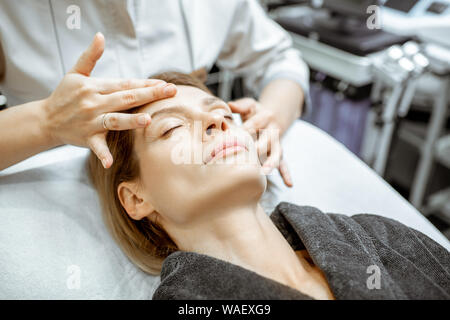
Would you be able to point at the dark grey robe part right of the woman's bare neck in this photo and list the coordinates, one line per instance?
(350, 244)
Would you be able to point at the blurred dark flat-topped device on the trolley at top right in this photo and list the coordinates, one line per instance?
(339, 24)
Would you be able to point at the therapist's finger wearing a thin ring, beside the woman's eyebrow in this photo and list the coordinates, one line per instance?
(124, 121)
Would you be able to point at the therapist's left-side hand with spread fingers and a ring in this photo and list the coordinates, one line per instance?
(80, 107)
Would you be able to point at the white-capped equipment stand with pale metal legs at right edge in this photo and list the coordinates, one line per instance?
(401, 69)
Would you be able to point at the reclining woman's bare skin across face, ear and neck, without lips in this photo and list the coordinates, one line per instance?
(211, 208)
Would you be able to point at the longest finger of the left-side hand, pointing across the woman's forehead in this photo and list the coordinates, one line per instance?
(123, 100)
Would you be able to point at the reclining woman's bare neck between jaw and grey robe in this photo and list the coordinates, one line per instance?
(245, 236)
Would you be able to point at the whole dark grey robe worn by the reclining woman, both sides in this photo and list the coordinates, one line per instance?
(353, 252)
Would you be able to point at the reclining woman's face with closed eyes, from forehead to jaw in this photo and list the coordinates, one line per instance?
(193, 157)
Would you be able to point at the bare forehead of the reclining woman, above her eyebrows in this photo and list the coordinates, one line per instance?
(187, 96)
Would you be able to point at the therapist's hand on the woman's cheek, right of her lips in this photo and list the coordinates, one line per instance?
(262, 122)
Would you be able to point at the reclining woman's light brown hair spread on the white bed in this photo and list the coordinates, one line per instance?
(145, 242)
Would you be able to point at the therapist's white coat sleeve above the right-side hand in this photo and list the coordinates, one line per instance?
(259, 50)
